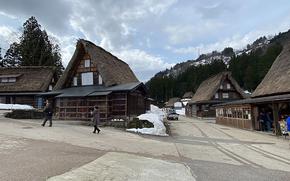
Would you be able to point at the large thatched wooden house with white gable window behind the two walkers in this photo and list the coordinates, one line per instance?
(96, 77)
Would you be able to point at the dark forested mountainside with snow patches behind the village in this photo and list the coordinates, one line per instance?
(248, 67)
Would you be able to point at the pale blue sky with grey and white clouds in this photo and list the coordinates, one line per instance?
(150, 35)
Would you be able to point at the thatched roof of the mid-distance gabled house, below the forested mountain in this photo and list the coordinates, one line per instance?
(208, 88)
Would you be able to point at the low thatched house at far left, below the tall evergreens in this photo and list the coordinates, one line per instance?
(21, 85)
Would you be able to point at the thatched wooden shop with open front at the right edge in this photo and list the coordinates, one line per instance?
(272, 95)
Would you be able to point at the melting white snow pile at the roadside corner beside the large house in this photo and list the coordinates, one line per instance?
(155, 116)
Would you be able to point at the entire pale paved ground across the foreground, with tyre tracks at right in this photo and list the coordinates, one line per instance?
(197, 150)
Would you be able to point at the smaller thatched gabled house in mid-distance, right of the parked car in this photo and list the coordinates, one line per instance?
(215, 90)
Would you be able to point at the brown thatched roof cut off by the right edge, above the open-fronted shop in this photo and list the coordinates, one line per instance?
(277, 79)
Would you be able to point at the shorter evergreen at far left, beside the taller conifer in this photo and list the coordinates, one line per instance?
(12, 57)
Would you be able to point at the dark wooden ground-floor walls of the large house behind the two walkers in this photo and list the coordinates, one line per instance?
(119, 105)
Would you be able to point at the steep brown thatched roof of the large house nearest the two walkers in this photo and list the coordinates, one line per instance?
(113, 70)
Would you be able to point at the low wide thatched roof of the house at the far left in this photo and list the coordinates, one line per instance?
(28, 78)
